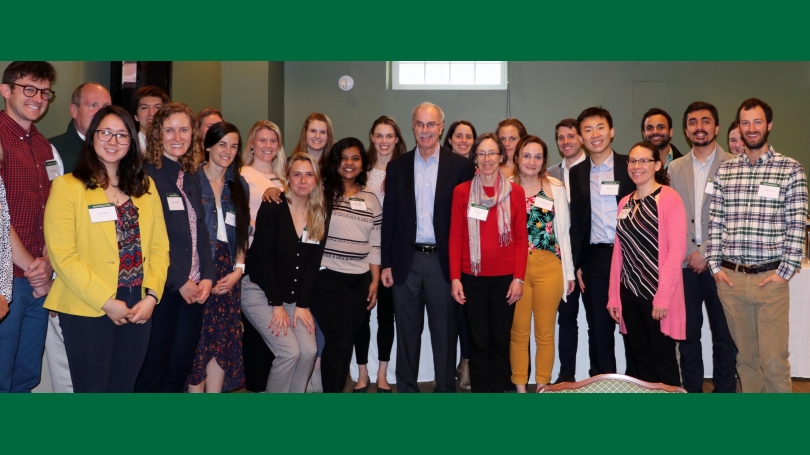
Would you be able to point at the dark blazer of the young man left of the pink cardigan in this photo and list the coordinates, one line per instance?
(579, 177)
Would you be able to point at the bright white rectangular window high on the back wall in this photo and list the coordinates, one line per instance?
(409, 75)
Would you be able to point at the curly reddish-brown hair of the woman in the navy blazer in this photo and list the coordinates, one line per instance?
(190, 160)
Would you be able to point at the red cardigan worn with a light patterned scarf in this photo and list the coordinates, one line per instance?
(496, 260)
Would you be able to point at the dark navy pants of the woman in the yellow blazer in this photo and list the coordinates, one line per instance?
(102, 356)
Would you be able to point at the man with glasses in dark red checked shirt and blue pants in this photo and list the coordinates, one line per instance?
(27, 171)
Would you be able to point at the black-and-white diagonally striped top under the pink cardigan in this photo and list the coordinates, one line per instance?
(638, 232)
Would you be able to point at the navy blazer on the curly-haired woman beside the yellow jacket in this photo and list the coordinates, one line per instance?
(178, 227)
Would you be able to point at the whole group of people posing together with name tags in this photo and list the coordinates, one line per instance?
(155, 251)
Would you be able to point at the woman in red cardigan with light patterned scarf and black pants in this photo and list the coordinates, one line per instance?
(488, 262)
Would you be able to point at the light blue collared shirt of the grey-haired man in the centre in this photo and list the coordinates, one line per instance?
(424, 176)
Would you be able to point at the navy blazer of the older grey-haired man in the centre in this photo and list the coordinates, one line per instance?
(399, 210)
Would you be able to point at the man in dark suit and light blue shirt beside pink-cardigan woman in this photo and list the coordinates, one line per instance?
(597, 186)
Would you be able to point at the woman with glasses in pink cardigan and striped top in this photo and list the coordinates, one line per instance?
(646, 285)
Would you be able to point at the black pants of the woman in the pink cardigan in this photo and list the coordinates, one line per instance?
(654, 352)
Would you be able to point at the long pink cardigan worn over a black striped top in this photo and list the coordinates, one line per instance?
(671, 253)
